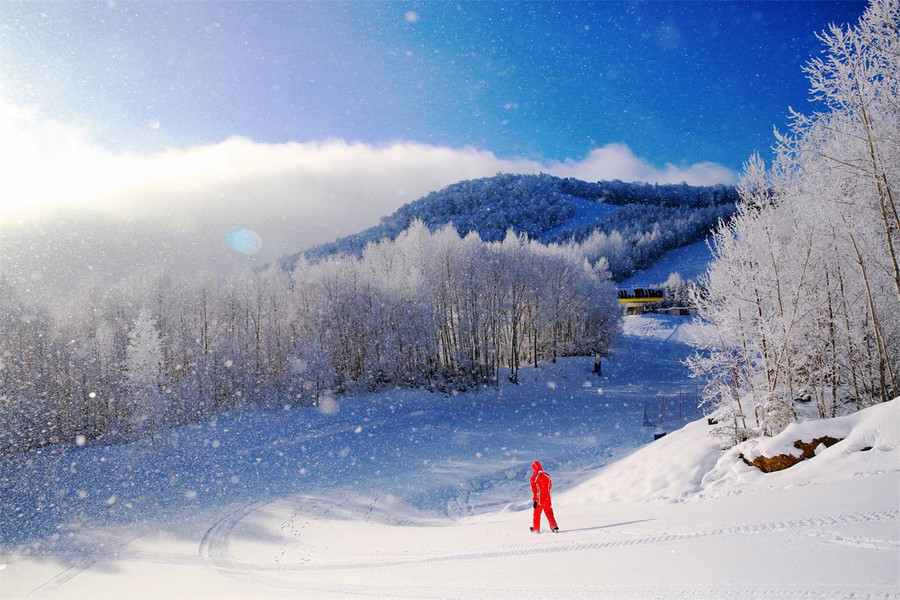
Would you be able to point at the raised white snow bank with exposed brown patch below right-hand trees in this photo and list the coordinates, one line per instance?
(690, 461)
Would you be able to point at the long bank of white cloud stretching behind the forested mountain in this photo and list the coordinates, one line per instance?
(65, 199)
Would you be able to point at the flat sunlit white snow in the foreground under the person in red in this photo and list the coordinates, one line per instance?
(302, 547)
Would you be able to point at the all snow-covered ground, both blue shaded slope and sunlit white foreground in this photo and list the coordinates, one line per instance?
(412, 495)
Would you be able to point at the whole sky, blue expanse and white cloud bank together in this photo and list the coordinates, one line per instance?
(143, 133)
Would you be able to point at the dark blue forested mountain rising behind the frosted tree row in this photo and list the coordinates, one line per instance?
(628, 224)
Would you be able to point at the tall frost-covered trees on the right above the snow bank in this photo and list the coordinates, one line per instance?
(804, 291)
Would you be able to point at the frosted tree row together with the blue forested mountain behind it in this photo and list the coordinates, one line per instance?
(484, 275)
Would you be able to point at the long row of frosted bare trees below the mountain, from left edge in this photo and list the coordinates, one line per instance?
(429, 309)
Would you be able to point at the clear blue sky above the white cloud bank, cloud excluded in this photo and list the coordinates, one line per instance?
(678, 82)
